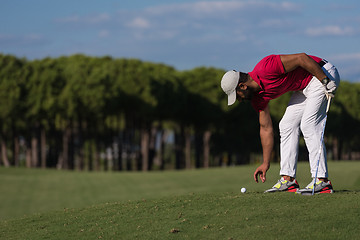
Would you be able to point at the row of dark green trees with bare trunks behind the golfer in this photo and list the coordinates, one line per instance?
(103, 113)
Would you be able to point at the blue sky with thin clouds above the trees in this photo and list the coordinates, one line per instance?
(185, 34)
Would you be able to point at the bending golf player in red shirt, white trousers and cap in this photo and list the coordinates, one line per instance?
(312, 80)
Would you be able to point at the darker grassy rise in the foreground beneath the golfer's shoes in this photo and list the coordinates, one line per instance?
(200, 216)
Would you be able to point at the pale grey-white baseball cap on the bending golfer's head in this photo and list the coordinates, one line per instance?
(229, 83)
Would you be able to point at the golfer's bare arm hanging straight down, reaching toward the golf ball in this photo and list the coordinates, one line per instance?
(267, 142)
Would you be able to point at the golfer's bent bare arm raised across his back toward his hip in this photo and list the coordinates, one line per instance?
(292, 61)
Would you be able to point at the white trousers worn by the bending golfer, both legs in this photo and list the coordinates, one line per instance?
(305, 112)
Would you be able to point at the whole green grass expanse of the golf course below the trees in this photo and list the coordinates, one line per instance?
(195, 204)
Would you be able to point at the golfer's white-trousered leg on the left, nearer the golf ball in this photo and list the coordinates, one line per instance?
(289, 135)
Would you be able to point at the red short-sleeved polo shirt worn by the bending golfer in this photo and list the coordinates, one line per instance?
(269, 73)
